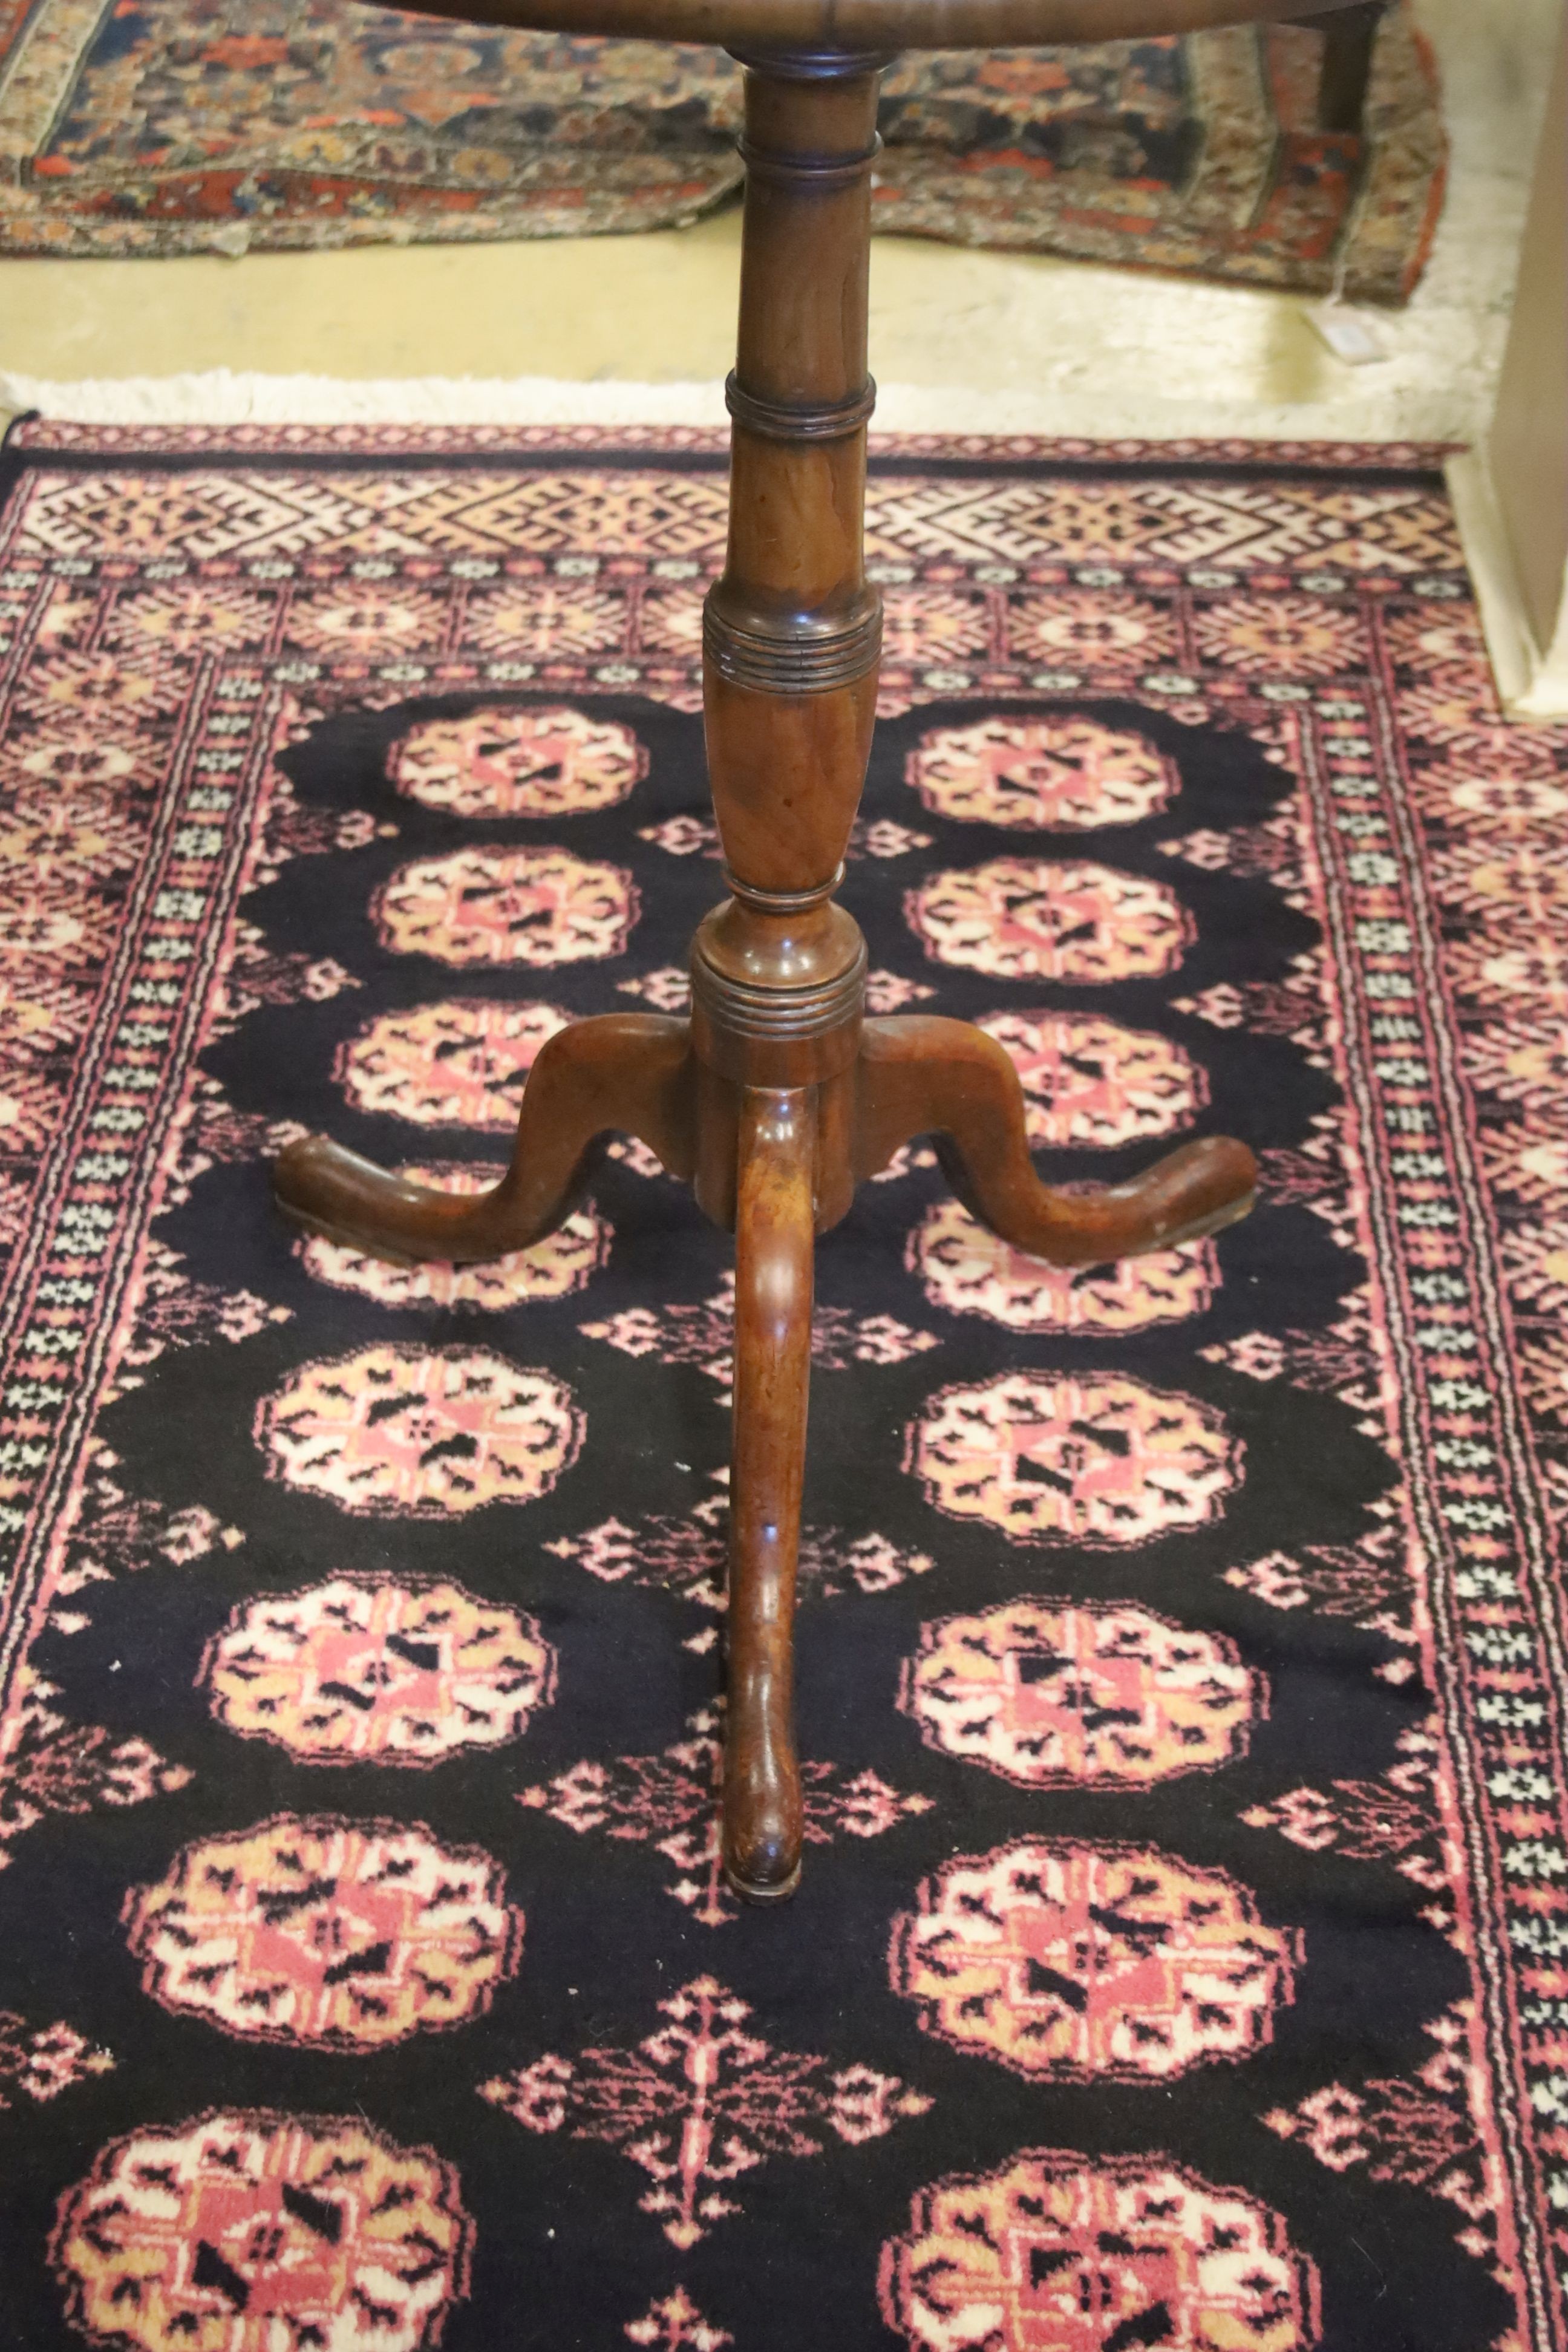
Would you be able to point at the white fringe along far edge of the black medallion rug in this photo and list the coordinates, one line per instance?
(227, 399)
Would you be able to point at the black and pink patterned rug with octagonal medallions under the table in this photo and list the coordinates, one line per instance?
(1184, 1946)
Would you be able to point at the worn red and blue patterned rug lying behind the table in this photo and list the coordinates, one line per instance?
(175, 126)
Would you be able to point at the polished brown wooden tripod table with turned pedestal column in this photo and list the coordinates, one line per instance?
(779, 1097)
